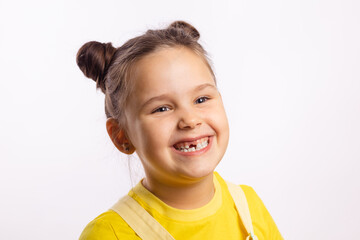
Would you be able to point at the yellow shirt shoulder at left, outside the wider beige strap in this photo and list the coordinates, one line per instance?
(108, 225)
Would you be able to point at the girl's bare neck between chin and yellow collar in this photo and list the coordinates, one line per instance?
(183, 196)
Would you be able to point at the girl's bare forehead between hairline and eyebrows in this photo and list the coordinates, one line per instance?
(170, 70)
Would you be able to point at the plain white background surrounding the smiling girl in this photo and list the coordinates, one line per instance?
(289, 73)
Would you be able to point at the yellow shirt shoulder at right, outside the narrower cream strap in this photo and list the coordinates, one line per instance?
(264, 225)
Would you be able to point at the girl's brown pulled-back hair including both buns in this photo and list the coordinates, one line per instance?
(111, 67)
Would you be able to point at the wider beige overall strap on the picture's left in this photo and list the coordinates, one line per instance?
(144, 225)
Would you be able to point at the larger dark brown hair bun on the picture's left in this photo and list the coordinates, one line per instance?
(93, 59)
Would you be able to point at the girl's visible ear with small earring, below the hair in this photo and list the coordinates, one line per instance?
(118, 136)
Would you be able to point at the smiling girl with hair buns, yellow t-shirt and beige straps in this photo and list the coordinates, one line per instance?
(162, 102)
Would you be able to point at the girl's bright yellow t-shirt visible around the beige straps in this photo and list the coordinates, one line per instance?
(216, 220)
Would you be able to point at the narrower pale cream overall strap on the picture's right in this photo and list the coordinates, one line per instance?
(242, 207)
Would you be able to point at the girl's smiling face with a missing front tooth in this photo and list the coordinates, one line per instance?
(175, 105)
